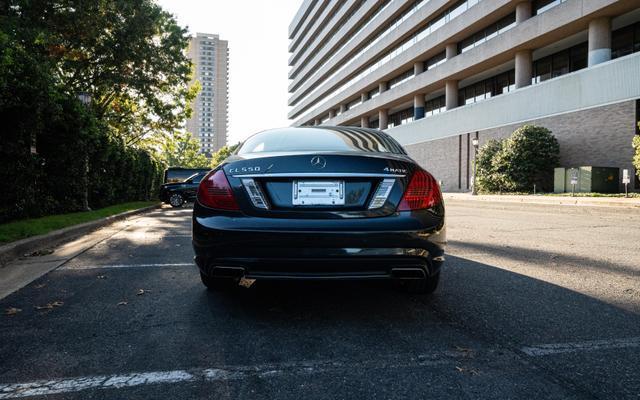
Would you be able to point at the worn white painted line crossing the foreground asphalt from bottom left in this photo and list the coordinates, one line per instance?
(117, 381)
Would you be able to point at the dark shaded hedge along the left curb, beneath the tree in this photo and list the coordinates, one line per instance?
(74, 151)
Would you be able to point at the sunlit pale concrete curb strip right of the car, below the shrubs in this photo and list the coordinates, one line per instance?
(561, 201)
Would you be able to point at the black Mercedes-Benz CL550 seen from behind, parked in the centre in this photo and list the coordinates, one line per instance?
(320, 203)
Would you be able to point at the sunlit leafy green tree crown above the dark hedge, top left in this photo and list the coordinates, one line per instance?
(128, 55)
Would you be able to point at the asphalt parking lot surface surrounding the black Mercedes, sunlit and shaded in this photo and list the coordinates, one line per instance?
(535, 302)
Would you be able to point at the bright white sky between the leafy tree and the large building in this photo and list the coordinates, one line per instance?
(257, 32)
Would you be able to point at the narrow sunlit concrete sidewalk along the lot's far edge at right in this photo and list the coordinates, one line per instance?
(552, 200)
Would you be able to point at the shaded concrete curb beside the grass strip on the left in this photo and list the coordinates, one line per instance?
(13, 250)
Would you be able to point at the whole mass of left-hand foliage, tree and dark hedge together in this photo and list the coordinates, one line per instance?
(129, 55)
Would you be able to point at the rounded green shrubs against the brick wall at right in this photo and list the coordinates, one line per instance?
(524, 159)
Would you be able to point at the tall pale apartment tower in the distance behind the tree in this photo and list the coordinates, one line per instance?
(208, 123)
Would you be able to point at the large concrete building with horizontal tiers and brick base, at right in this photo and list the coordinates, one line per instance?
(437, 73)
